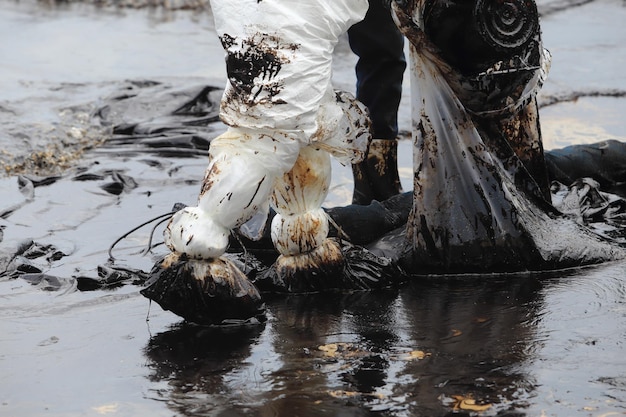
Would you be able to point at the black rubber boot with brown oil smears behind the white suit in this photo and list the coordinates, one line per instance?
(376, 177)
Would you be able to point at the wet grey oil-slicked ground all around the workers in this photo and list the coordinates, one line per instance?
(531, 345)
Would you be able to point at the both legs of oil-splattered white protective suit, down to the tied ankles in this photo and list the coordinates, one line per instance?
(284, 118)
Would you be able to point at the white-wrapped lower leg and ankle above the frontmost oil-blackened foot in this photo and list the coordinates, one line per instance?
(243, 168)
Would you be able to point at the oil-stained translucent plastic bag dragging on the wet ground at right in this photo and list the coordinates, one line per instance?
(469, 212)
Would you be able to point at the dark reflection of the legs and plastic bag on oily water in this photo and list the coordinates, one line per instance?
(413, 351)
